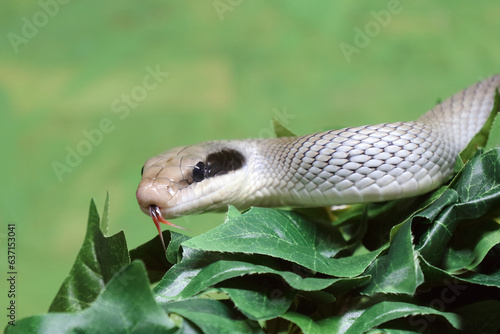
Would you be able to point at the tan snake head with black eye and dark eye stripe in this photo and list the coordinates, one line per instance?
(191, 179)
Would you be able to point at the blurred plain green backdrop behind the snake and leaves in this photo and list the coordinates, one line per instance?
(65, 66)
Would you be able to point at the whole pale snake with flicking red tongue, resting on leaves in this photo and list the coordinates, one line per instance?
(362, 164)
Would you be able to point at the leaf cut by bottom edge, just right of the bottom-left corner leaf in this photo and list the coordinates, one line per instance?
(212, 316)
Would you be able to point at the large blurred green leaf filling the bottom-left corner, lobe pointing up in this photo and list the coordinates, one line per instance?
(126, 305)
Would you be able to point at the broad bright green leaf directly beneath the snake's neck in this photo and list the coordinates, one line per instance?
(281, 234)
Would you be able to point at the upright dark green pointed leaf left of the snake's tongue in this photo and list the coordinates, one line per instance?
(99, 259)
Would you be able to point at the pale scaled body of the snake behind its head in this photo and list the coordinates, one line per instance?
(368, 163)
